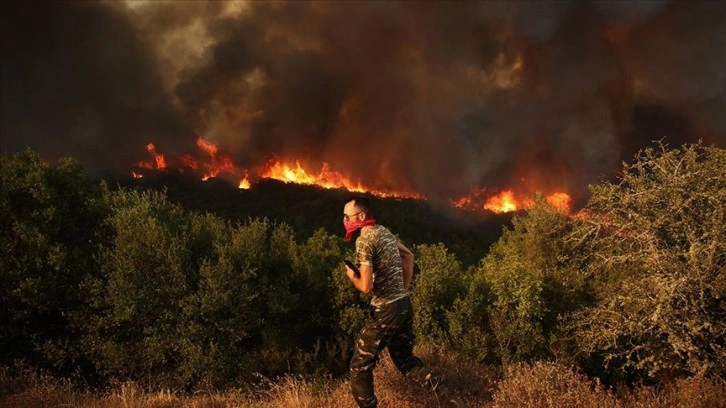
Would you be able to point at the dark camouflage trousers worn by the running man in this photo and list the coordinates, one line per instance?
(390, 326)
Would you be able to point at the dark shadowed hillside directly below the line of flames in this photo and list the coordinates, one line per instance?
(307, 208)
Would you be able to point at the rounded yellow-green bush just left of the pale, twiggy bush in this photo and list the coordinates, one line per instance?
(527, 281)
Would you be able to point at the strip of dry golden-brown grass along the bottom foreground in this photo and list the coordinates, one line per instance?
(538, 385)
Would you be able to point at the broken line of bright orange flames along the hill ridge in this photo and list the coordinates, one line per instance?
(217, 163)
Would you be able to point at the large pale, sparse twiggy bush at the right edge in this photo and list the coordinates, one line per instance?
(657, 241)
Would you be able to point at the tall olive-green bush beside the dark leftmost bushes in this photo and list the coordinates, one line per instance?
(136, 310)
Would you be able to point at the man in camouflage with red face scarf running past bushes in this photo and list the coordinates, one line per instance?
(386, 270)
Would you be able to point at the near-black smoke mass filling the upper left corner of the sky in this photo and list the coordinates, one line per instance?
(76, 80)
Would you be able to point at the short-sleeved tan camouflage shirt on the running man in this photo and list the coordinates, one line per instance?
(378, 247)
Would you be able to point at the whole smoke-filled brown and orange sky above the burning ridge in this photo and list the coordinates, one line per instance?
(435, 97)
